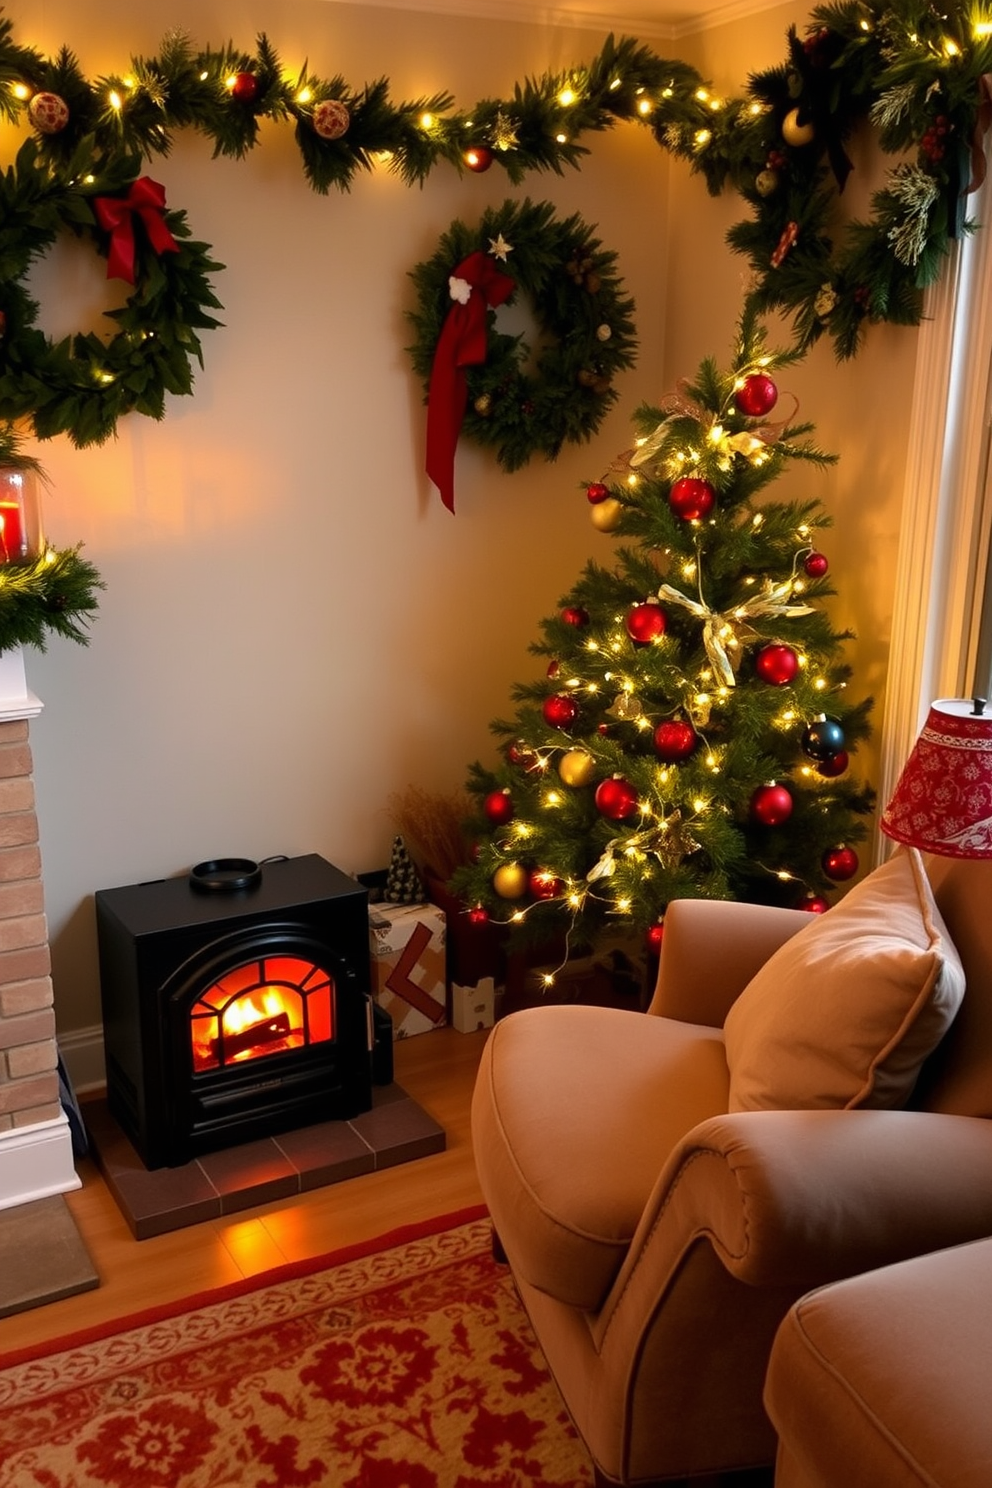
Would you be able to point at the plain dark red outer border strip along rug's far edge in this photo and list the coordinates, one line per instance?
(286, 1273)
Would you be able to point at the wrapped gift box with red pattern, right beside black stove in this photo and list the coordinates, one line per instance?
(408, 965)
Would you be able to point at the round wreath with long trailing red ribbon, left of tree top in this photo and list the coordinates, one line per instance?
(478, 380)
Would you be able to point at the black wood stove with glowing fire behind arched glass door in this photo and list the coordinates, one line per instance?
(236, 1004)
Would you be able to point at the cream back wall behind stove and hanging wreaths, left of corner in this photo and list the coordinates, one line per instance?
(294, 627)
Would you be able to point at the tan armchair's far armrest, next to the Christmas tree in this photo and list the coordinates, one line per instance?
(710, 953)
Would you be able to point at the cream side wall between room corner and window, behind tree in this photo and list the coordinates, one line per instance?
(860, 408)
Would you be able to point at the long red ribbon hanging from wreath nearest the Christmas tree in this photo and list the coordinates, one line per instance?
(462, 344)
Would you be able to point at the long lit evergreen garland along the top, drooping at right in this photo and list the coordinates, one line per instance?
(915, 72)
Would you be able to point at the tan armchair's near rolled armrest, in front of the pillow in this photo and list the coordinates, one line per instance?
(802, 1199)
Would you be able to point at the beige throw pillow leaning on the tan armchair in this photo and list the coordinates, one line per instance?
(847, 1011)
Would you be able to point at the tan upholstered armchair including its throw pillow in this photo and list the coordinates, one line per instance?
(660, 1228)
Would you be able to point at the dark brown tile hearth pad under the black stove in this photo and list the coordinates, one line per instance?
(219, 1184)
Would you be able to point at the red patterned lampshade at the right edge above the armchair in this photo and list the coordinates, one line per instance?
(944, 800)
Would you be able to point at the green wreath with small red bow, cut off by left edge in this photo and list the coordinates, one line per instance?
(83, 385)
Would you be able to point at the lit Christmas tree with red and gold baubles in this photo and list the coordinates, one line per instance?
(692, 736)
